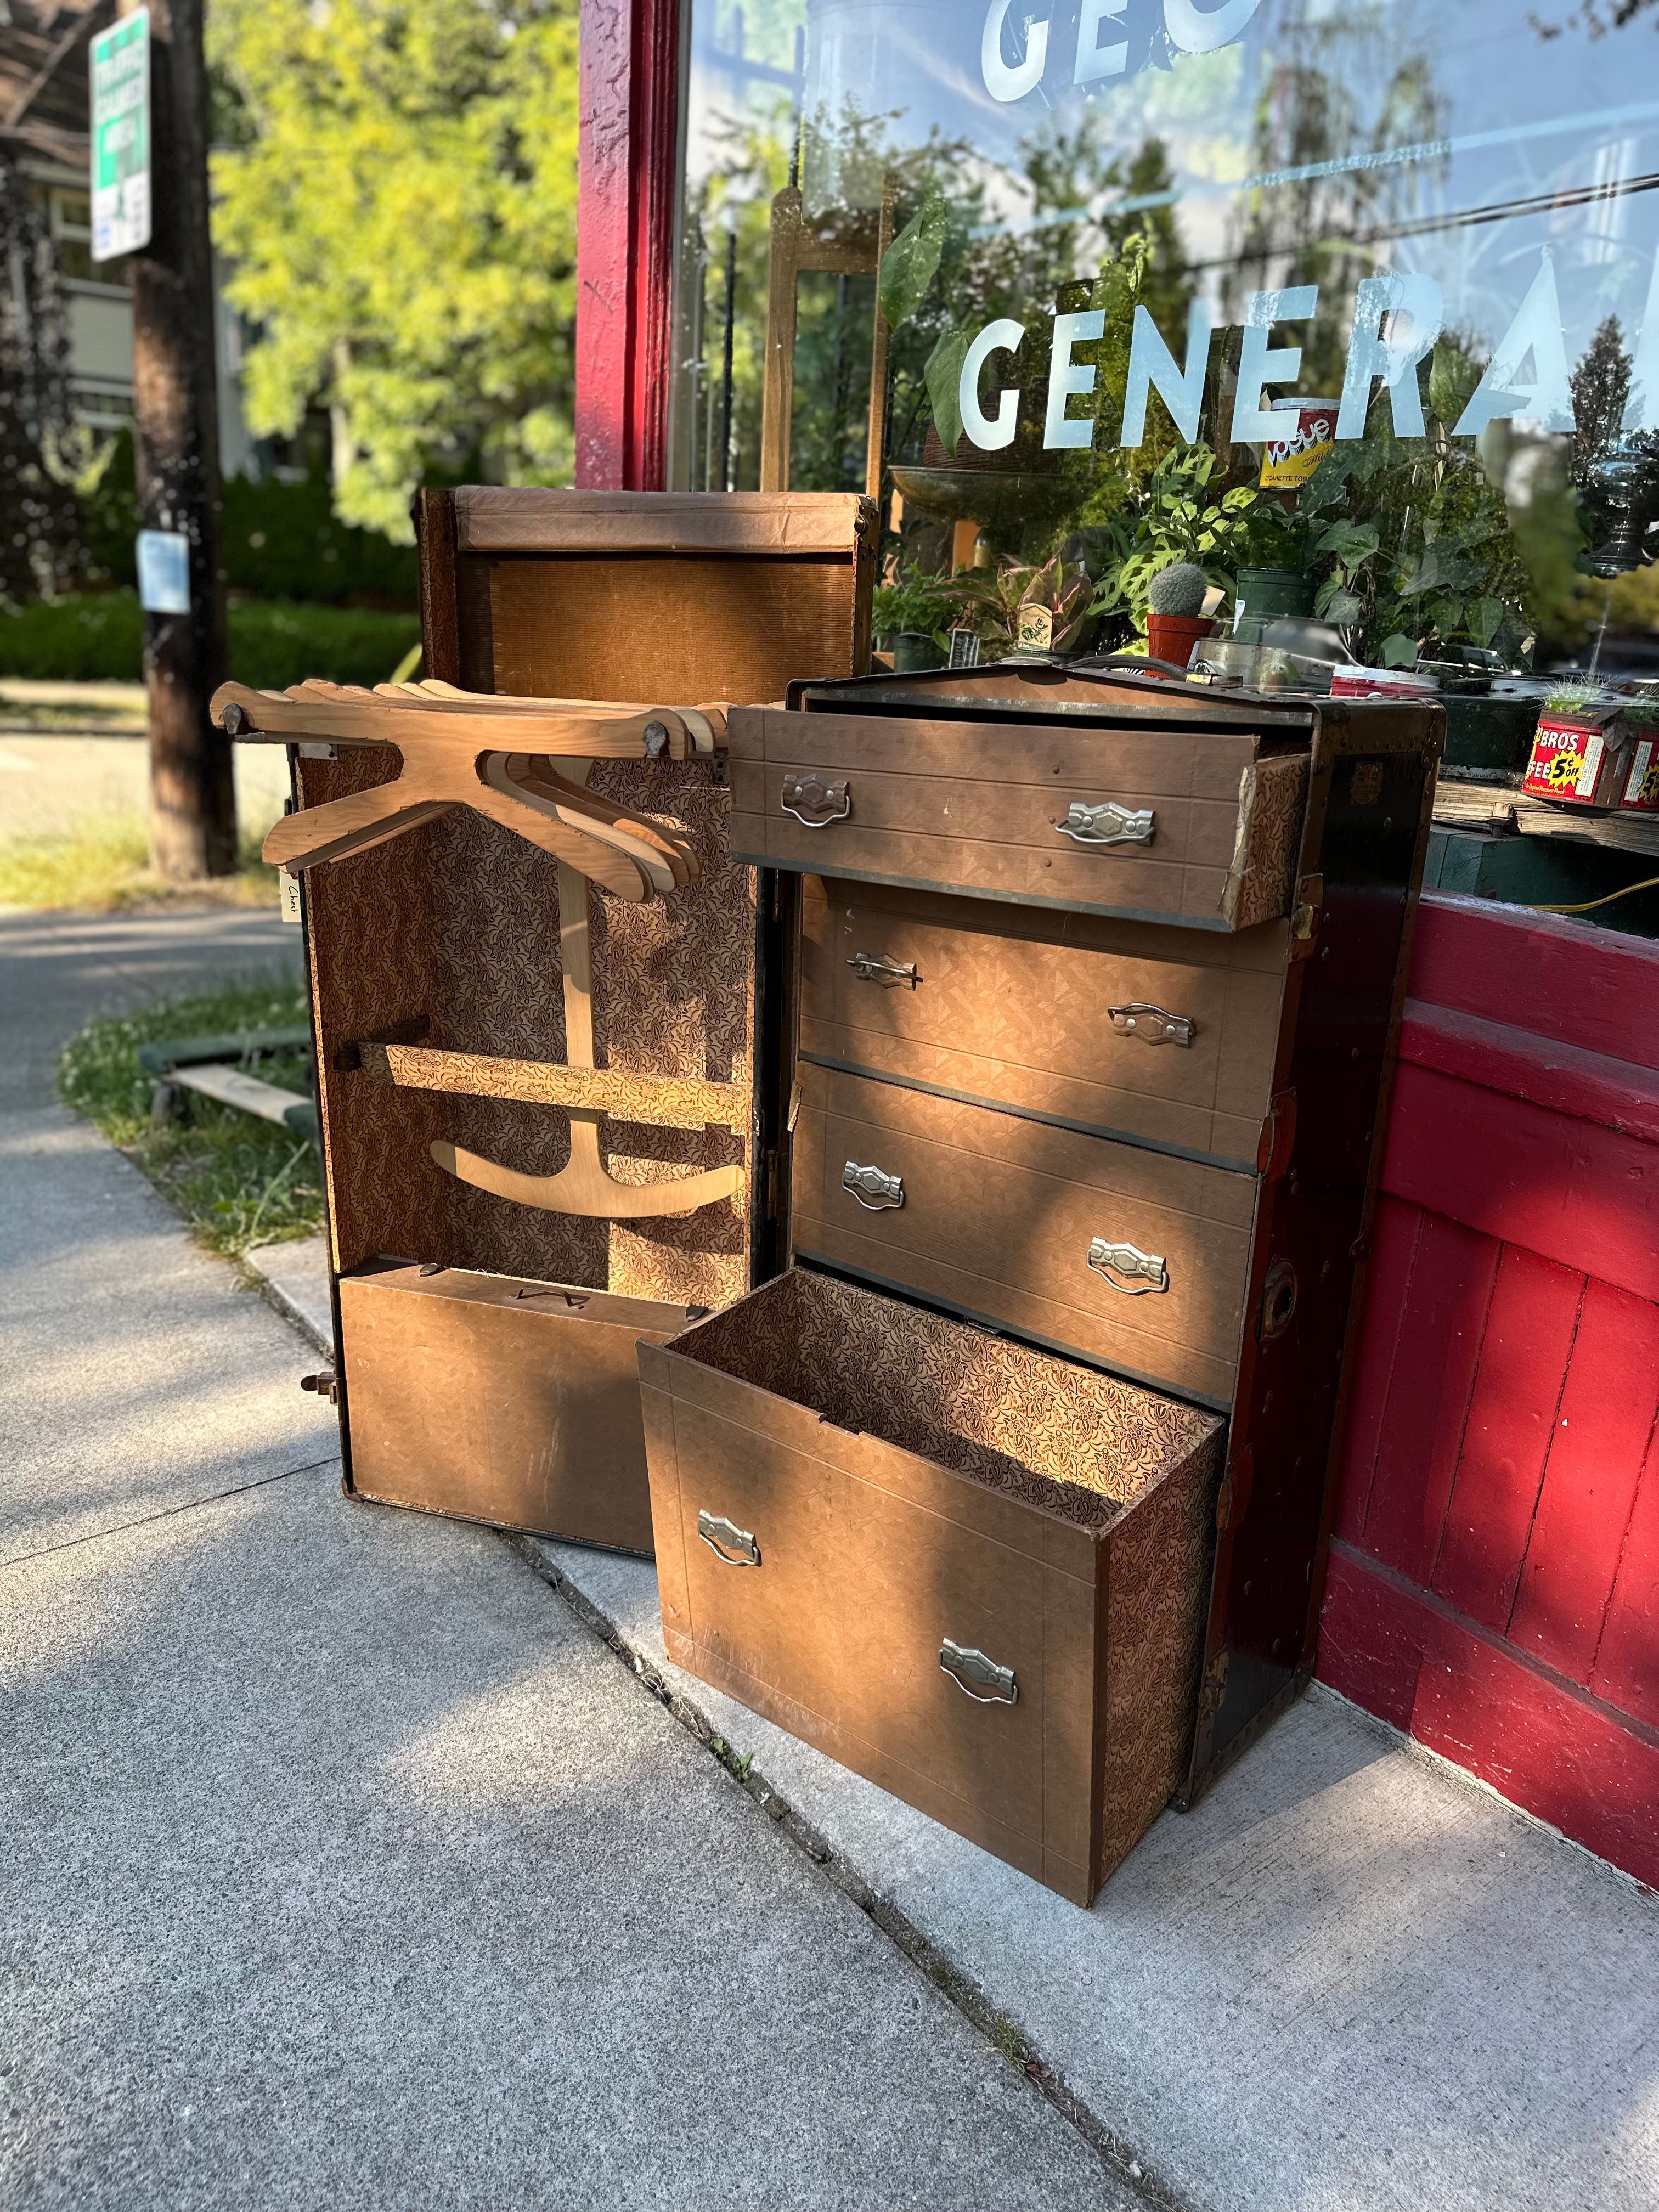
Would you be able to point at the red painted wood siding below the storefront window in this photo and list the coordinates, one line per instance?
(1494, 1576)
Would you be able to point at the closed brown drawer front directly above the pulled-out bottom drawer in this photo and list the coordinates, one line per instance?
(1001, 1215)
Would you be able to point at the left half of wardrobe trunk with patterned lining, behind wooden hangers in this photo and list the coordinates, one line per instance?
(483, 1333)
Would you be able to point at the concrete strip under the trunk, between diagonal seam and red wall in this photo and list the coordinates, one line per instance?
(1350, 1981)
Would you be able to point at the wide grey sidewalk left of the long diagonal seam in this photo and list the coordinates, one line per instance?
(342, 1866)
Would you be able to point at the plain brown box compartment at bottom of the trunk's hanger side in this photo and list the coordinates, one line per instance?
(501, 1401)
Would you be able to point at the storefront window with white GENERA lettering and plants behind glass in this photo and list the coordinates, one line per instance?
(1355, 309)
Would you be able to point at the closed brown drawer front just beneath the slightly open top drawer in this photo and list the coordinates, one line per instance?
(890, 983)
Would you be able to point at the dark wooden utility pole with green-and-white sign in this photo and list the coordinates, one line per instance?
(176, 450)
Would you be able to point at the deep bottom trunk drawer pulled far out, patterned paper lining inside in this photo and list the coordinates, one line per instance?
(970, 1572)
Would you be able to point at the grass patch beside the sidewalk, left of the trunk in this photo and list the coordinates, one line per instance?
(236, 1180)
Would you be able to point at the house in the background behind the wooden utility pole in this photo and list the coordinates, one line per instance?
(45, 129)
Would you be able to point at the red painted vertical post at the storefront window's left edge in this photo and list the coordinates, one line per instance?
(625, 242)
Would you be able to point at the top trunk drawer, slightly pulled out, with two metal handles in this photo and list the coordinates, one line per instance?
(1160, 824)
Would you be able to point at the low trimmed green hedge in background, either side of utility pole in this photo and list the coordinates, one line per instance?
(96, 636)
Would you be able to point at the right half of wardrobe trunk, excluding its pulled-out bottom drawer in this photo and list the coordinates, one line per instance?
(1094, 999)
